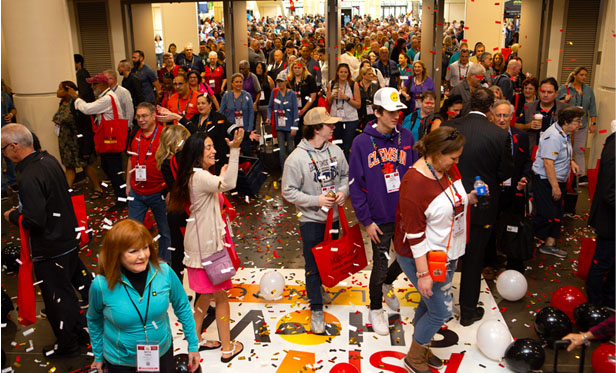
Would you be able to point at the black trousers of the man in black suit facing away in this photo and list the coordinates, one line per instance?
(472, 263)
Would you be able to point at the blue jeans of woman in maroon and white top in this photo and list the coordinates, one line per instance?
(434, 311)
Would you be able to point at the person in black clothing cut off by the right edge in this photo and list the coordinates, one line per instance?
(600, 281)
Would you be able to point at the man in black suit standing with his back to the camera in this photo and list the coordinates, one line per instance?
(487, 153)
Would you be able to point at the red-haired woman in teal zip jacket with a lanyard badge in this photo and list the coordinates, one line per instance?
(128, 304)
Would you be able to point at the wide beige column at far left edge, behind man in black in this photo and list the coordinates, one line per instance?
(35, 98)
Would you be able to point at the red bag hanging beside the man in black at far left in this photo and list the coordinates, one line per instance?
(26, 302)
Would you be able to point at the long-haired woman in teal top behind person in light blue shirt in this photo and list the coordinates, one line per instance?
(577, 93)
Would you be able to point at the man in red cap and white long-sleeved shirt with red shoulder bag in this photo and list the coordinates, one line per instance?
(111, 163)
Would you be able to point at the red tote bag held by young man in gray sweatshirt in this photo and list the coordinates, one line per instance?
(343, 257)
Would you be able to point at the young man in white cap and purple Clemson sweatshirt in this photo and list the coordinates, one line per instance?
(381, 156)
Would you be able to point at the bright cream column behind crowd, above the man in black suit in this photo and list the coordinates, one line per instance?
(484, 20)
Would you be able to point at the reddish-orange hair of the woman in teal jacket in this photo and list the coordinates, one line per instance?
(124, 235)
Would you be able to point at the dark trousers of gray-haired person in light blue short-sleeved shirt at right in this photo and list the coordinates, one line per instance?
(548, 213)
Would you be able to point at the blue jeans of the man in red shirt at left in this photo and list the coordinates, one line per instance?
(137, 209)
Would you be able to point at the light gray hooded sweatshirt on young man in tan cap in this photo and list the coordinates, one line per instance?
(300, 184)
